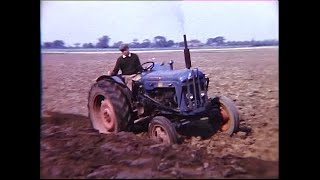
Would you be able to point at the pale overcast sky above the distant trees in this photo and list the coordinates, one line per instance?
(86, 21)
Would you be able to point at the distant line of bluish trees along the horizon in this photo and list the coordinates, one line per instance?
(159, 42)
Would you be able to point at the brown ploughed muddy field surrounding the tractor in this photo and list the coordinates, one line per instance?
(71, 149)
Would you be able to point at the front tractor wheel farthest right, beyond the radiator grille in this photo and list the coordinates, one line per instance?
(230, 114)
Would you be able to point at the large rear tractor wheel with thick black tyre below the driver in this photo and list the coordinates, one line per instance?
(109, 109)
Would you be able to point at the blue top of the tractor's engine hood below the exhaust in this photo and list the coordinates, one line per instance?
(171, 75)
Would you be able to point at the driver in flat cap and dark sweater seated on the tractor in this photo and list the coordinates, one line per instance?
(129, 64)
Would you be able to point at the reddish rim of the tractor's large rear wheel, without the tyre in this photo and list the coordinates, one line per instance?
(104, 112)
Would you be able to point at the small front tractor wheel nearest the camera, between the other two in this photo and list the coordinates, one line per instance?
(162, 130)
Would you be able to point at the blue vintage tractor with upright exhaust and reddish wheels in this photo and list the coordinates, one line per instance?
(163, 101)
